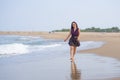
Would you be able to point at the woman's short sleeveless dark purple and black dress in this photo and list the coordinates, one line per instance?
(73, 41)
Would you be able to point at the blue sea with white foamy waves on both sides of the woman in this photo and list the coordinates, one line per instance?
(12, 45)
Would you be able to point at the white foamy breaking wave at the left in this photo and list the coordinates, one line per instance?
(19, 48)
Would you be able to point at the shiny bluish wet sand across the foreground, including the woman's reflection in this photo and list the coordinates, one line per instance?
(85, 67)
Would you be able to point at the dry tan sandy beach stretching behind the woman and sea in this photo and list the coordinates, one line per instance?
(109, 49)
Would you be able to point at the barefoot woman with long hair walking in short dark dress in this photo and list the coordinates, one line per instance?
(74, 40)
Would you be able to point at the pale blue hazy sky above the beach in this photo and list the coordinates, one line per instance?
(47, 15)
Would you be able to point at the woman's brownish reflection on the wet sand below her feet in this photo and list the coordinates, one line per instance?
(75, 73)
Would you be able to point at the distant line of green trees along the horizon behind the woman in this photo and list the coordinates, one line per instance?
(92, 29)
